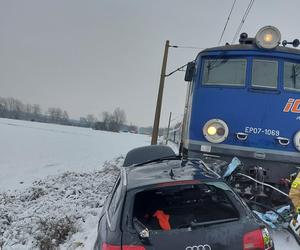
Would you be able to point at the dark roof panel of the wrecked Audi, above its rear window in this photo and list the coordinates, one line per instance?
(167, 171)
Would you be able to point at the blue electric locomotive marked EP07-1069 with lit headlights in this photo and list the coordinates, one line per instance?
(244, 101)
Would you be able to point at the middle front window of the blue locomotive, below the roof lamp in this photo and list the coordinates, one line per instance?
(264, 73)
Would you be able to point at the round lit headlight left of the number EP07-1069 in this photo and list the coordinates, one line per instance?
(215, 131)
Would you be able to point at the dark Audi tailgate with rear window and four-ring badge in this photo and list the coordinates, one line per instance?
(187, 216)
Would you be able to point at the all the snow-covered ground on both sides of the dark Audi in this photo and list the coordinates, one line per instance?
(59, 176)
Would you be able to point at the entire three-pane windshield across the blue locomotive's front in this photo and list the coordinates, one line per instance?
(232, 72)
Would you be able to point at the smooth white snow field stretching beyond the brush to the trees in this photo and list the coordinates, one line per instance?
(31, 150)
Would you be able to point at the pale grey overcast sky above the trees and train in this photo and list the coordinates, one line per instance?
(93, 56)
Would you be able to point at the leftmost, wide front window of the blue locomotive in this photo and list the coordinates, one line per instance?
(228, 72)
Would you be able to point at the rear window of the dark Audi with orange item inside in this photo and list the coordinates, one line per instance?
(181, 206)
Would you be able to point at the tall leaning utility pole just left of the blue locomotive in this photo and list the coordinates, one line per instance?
(160, 95)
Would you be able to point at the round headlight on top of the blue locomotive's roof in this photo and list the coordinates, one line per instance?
(268, 37)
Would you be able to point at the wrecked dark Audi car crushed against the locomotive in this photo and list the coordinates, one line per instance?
(170, 203)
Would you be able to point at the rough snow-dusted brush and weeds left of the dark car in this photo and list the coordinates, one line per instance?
(74, 198)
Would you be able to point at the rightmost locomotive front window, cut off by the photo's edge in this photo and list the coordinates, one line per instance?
(291, 76)
